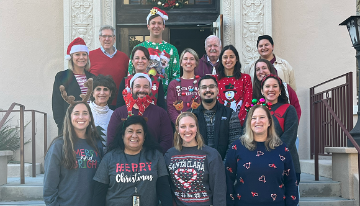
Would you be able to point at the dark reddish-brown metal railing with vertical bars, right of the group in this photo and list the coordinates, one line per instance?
(331, 118)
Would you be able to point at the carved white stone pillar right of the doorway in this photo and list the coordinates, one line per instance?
(244, 21)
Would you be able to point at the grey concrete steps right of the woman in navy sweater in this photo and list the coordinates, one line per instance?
(324, 192)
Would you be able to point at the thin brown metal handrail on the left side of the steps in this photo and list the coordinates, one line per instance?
(22, 127)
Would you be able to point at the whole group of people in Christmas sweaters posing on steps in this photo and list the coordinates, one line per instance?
(175, 130)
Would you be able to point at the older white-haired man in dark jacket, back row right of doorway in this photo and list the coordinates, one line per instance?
(209, 63)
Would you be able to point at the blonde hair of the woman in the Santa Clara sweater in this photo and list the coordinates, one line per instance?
(177, 139)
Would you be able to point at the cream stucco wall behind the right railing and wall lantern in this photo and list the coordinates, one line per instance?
(307, 35)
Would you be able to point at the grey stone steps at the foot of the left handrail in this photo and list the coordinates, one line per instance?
(31, 190)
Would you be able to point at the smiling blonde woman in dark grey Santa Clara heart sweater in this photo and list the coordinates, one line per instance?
(196, 170)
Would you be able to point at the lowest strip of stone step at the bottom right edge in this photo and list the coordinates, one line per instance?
(325, 201)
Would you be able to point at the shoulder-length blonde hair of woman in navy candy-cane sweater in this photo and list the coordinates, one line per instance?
(272, 140)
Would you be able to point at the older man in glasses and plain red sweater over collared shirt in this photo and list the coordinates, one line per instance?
(107, 60)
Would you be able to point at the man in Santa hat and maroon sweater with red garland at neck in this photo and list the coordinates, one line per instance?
(138, 102)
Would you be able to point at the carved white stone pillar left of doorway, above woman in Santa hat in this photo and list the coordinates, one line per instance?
(83, 18)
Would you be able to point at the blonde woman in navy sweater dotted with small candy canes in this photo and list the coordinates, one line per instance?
(259, 167)
